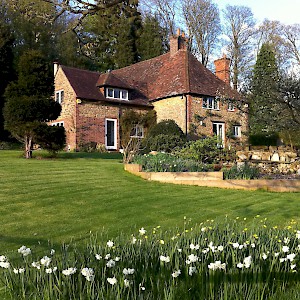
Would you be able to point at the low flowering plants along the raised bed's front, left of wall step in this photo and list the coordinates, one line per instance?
(164, 162)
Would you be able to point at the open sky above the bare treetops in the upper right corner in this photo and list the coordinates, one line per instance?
(285, 11)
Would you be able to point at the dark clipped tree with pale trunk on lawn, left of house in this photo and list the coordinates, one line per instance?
(29, 100)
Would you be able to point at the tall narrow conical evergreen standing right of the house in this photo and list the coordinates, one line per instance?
(265, 113)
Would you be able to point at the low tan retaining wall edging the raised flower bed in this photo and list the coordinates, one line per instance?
(215, 179)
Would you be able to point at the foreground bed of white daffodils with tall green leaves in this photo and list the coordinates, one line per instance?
(213, 260)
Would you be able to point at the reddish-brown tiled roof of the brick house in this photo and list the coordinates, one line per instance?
(153, 79)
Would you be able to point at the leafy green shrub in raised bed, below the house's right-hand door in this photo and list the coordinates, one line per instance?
(205, 150)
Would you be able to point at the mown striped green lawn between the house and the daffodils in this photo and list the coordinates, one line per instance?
(69, 197)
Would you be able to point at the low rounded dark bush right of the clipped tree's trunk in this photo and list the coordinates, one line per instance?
(50, 138)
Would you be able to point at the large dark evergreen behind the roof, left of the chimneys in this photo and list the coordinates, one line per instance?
(111, 38)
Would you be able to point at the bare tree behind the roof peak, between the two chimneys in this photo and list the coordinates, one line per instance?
(204, 27)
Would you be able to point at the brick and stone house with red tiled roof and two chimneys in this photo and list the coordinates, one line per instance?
(175, 84)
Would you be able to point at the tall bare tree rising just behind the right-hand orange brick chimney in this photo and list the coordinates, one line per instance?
(239, 29)
